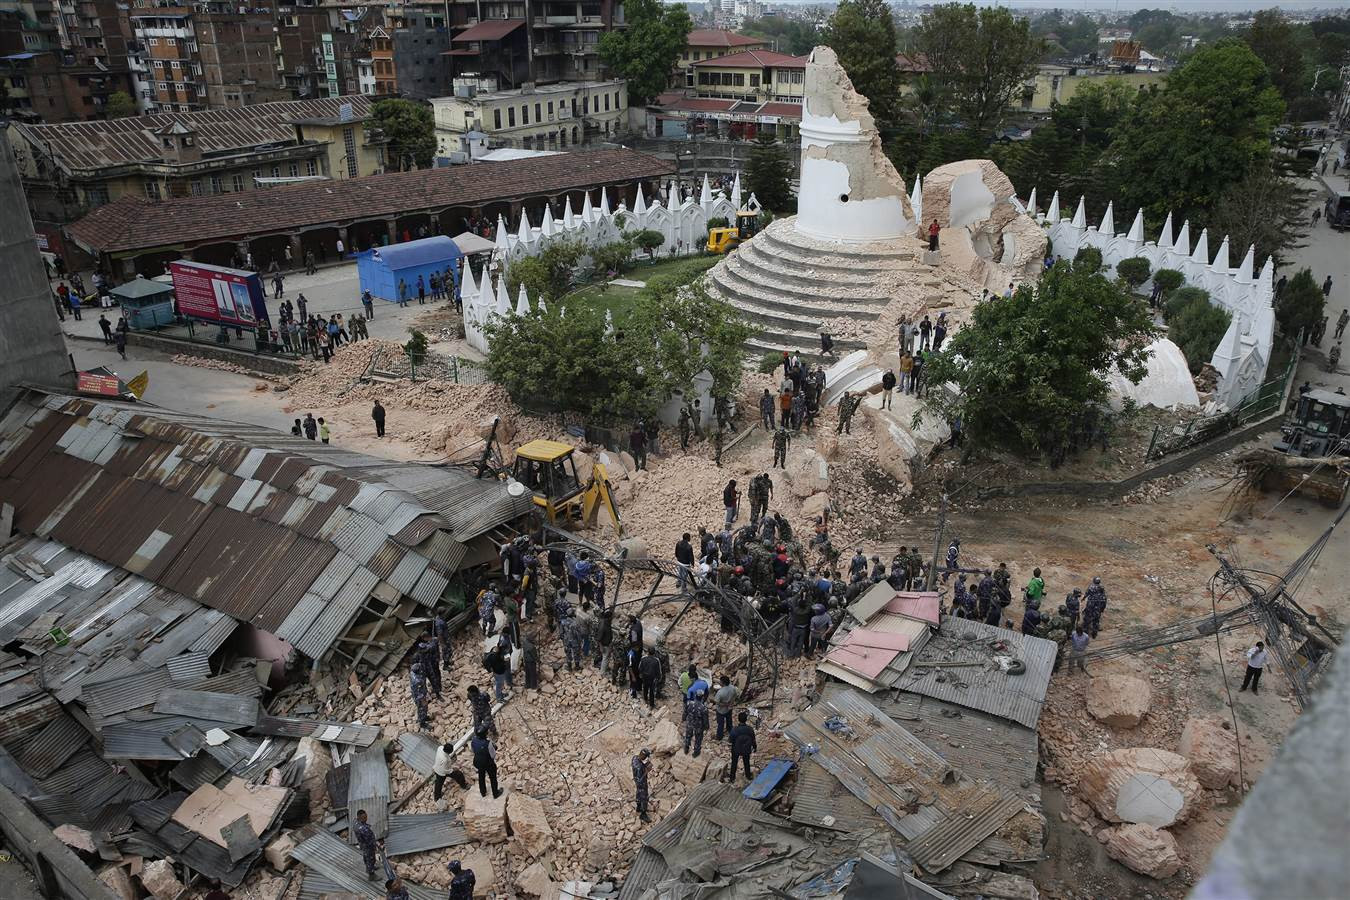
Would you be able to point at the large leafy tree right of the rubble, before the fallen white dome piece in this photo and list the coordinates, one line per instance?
(1025, 369)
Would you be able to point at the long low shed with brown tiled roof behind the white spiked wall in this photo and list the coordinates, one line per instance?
(136, 235)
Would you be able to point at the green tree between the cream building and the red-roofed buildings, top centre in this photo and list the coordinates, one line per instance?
(646, 52)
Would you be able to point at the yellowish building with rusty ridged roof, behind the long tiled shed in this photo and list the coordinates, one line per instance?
(71, 169)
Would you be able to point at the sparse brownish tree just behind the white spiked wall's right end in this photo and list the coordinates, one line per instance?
(1267, 210)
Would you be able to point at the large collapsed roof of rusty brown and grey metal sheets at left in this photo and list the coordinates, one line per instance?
(294, 538)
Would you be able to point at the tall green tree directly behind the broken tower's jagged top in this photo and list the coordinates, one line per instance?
(862, 34)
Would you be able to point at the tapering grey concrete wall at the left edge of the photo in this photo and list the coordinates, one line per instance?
(30, 337)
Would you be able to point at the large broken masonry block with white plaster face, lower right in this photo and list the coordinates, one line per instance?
(1144, 786)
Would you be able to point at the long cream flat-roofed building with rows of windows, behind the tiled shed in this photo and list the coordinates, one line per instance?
(558, 117)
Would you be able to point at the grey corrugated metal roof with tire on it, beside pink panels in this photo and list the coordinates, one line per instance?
(985, 686)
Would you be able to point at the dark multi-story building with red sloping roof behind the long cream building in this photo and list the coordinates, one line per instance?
(531, 41)
